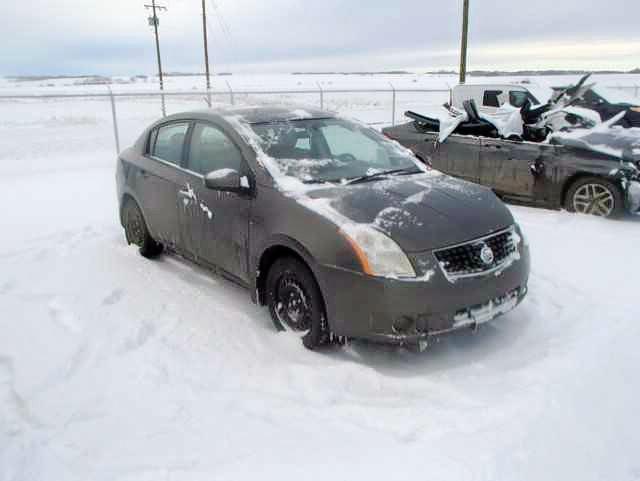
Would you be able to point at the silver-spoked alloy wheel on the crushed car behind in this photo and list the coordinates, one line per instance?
(595, 196)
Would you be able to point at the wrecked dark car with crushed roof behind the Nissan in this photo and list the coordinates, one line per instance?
(590, 171)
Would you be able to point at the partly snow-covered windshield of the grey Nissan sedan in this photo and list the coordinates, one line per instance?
(331, 150)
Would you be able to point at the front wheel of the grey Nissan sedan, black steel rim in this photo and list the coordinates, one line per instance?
(295, 302)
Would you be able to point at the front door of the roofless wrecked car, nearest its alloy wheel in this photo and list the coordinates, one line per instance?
(514, 168)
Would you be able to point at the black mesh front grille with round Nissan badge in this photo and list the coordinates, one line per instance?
(467, 260)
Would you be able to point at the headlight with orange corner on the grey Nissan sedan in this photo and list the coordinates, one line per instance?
(379, 255)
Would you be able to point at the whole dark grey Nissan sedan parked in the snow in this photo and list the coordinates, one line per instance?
(339, 231)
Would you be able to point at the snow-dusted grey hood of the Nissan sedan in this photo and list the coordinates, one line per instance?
(420, 212)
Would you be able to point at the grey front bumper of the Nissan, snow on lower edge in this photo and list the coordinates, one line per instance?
(412, 311)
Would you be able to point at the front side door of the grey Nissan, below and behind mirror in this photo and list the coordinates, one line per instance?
(222, 234)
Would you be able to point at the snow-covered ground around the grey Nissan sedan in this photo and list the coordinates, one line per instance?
(113, 367)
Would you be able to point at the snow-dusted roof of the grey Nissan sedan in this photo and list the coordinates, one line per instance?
(255, 114)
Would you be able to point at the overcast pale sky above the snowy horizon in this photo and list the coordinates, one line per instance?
(113, 37)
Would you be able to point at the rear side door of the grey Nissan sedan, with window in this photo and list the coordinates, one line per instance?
(158, 180)
